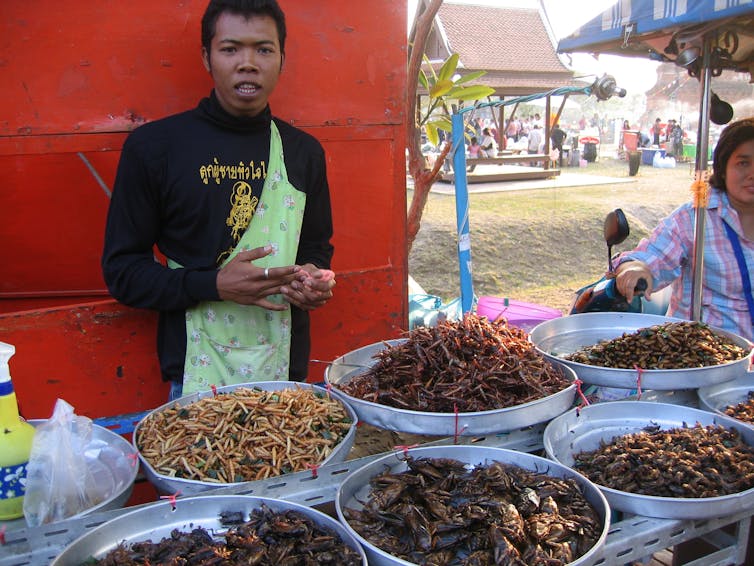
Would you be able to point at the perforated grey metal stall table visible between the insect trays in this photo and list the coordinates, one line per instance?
(630, 538)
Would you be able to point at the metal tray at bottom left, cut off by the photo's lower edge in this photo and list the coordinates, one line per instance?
(156, 522)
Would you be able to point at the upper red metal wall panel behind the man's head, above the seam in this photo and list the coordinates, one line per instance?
(84, 66)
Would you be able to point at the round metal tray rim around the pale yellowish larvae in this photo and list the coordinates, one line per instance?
(168, 485)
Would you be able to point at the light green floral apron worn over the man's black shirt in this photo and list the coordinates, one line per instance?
(228, 343)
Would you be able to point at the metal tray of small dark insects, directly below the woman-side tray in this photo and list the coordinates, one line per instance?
(584, 429)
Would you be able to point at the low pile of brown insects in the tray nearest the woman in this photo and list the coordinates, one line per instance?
(673, 345)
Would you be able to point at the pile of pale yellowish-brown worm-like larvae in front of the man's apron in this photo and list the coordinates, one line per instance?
(245, 435)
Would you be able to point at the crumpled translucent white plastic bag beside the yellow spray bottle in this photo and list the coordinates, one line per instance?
(59, 483)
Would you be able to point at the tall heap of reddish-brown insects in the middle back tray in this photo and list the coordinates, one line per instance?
(466, 366)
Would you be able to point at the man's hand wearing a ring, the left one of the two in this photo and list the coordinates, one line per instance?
(244, 283)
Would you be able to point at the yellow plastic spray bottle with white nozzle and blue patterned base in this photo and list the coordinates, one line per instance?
(16, 436)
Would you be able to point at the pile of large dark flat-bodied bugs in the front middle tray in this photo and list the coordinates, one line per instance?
(439, 512)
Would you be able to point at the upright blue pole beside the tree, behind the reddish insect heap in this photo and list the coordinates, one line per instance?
(462, 213)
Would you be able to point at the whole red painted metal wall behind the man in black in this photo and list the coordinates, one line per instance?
(79, 78)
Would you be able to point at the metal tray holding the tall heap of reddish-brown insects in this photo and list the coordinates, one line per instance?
(357, 361)
